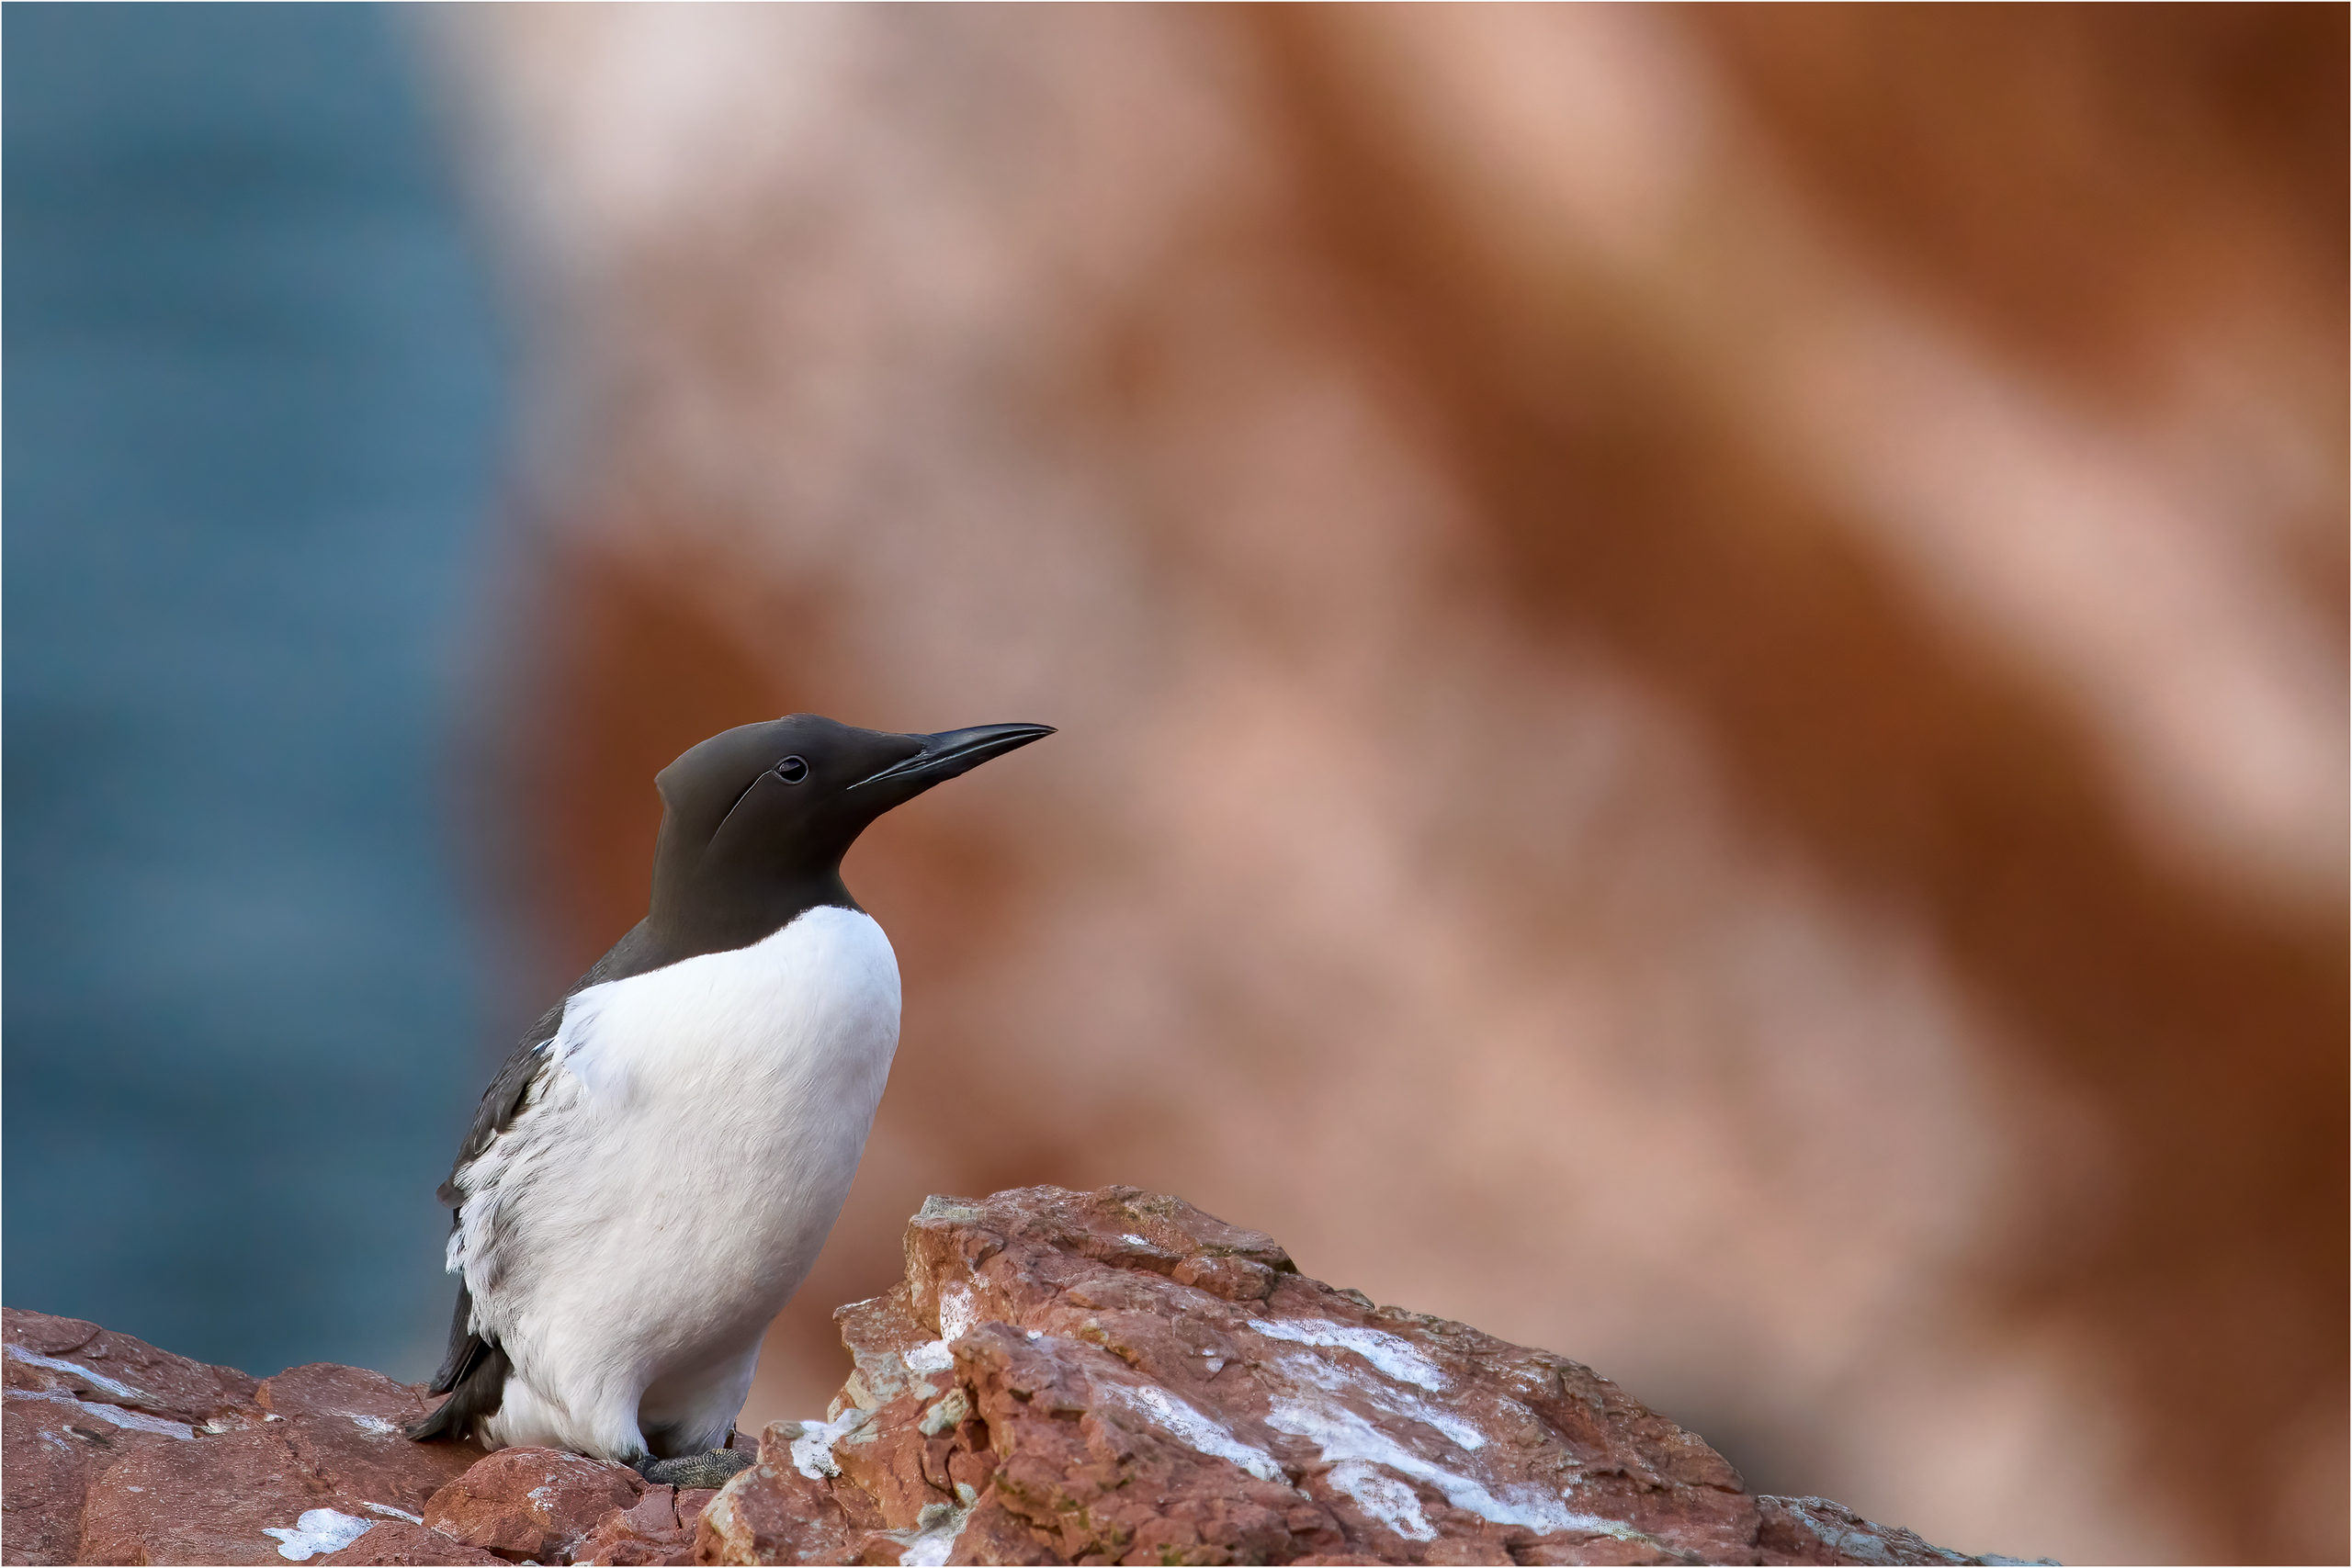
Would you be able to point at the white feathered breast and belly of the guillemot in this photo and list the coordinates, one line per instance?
(634, 1233)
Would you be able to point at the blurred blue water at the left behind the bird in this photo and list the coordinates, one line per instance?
(250, 424)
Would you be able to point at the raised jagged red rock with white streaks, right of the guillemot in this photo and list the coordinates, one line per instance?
(1121, 1379)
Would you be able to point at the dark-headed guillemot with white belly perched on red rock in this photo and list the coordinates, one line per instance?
(660, 1162)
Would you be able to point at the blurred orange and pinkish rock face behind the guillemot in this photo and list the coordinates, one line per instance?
(1650, 756)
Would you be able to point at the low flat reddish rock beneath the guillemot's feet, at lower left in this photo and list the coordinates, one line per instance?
(123, 1454)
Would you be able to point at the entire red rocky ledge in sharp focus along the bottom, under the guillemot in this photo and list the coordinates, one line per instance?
(1062, 1379)
